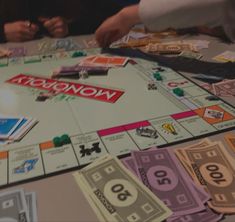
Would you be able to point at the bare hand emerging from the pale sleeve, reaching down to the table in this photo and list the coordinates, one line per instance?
(117, 26)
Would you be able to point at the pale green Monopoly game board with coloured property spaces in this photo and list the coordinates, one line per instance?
(114, 113)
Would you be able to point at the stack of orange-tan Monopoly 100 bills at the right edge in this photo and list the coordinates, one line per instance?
(211, 167)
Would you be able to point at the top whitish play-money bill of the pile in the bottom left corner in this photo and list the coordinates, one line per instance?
(13, 206)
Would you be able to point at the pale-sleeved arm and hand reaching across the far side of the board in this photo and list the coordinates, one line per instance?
(158, 15)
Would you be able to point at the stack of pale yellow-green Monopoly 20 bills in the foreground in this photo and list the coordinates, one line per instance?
(115, 194)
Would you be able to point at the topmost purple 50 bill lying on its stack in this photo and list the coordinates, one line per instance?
(160, 170)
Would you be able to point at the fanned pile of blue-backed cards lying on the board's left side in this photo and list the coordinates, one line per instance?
(14, 128)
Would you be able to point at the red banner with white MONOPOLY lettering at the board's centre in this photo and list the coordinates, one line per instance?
(69, 88)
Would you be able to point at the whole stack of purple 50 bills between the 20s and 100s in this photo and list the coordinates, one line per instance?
(162, 173)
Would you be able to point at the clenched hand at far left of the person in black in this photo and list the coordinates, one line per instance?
(20, 31)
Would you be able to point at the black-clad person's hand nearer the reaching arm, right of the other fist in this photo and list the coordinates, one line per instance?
(56, 26)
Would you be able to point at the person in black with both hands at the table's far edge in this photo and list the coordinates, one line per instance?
(24, 20)
